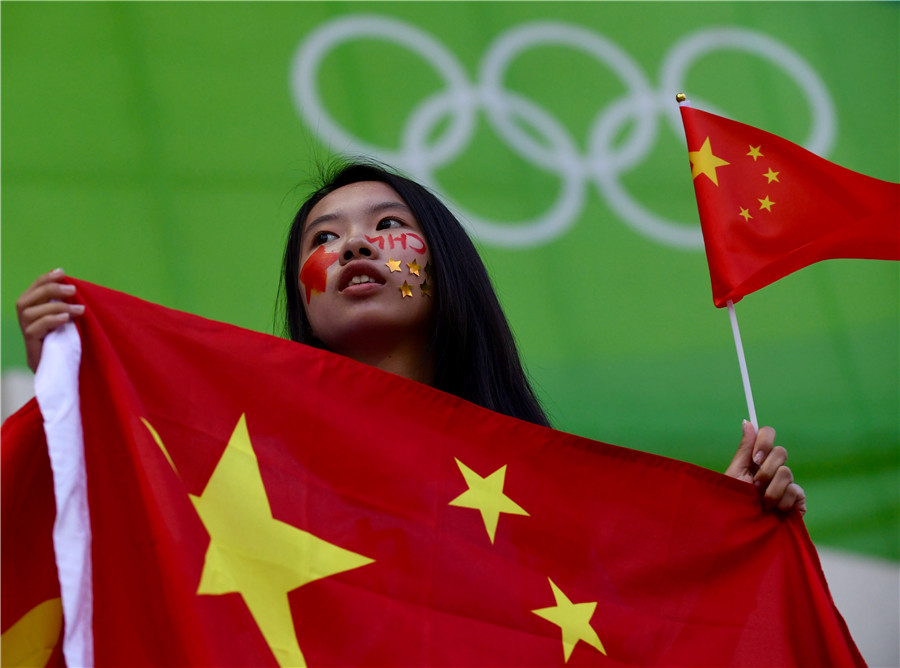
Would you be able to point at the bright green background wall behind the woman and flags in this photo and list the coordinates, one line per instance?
(160, 149)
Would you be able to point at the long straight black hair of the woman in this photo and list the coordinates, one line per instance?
(475, 355)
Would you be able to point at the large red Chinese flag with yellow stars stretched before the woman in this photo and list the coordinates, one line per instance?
(257, 502)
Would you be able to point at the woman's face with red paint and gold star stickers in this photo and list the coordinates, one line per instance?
(364, 271)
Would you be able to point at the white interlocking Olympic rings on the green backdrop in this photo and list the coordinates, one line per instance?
(461, 100)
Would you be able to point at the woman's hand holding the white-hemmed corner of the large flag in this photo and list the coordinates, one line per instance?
(42, 308)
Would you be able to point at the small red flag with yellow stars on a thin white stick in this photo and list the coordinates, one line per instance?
(769, 207)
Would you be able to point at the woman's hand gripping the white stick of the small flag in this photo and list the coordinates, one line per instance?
(759, 461)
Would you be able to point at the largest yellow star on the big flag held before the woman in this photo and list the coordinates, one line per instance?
(255, 555)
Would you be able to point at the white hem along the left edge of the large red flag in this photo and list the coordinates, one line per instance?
(56, 389)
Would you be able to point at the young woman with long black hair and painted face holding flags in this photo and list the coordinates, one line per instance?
(376, 268)
